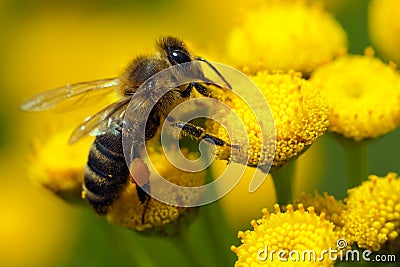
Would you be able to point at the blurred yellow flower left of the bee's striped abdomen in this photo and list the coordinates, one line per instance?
(58, 166)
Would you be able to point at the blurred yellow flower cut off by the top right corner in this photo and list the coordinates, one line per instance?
(384, 29)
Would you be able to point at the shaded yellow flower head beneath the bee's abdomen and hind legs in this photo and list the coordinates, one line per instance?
(156, 217)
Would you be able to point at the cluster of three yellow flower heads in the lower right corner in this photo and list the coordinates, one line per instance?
(369, 218)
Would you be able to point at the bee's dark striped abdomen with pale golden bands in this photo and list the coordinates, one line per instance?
(106, 172)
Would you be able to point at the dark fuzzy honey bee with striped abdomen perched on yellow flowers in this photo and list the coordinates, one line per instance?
(106, 172)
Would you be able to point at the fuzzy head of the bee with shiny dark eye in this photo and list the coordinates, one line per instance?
(174, 50)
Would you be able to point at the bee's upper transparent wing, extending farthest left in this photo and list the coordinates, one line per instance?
(73, 92)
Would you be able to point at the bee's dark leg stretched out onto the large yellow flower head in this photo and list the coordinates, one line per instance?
(198, 132)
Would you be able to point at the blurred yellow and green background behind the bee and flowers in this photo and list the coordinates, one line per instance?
(45, 44)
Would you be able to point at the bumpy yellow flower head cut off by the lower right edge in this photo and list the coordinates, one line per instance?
(372, 214)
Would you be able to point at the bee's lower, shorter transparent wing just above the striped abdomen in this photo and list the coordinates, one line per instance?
(107, 120)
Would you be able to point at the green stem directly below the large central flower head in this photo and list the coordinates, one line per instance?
(283, 181)
